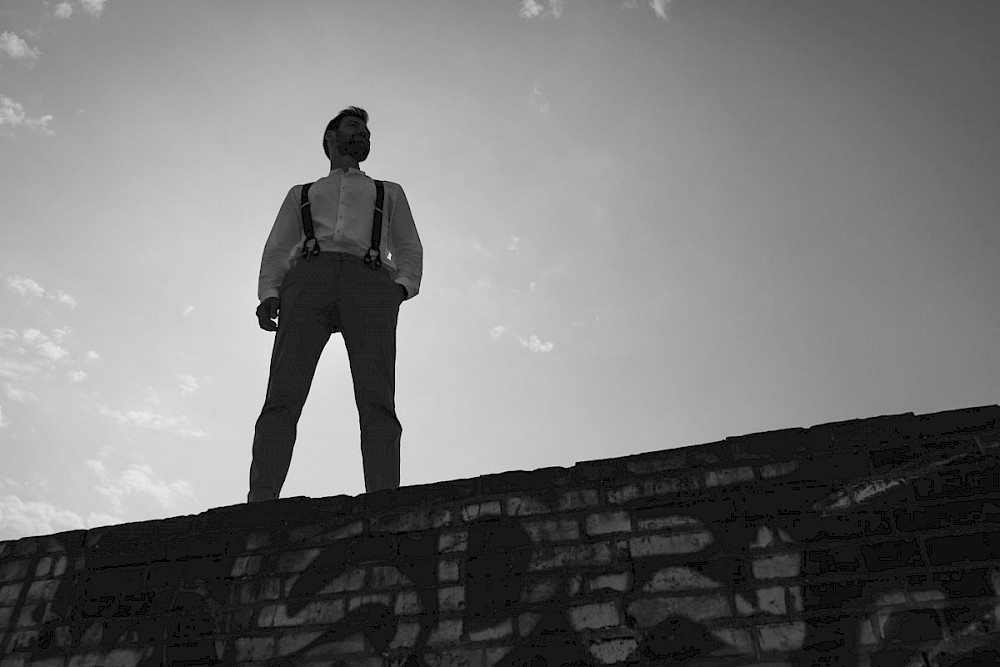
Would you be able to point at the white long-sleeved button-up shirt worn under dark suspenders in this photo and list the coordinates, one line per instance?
(343, 208)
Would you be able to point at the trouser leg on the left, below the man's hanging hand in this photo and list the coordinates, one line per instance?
(303, 331)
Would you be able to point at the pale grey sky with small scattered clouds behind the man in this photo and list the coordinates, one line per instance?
(646, 225)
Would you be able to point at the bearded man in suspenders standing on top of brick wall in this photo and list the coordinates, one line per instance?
(322, 270)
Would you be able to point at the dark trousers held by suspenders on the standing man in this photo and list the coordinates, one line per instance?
(331, 292)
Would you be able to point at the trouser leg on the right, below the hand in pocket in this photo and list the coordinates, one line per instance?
(369, 327)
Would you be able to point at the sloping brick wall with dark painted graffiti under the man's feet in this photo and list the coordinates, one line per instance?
(868, 542)
